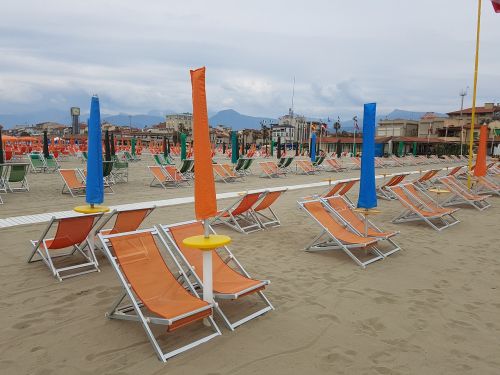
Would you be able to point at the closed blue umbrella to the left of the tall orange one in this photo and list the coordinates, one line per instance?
(95, 186)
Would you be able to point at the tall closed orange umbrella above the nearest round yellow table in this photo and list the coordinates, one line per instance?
(205, 203)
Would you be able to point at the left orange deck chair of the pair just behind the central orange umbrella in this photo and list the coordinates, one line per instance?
(239, 216)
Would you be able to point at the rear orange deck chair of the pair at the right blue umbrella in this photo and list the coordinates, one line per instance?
(356, 222)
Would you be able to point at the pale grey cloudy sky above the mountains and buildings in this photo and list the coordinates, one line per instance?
(136, 55)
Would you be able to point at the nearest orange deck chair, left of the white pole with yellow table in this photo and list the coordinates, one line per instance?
(157, 294)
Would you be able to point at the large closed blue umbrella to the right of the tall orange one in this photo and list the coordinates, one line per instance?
(367, 194)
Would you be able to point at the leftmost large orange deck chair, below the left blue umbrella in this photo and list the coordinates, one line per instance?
(72, 233)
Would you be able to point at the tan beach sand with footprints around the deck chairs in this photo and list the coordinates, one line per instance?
(432, 308)
